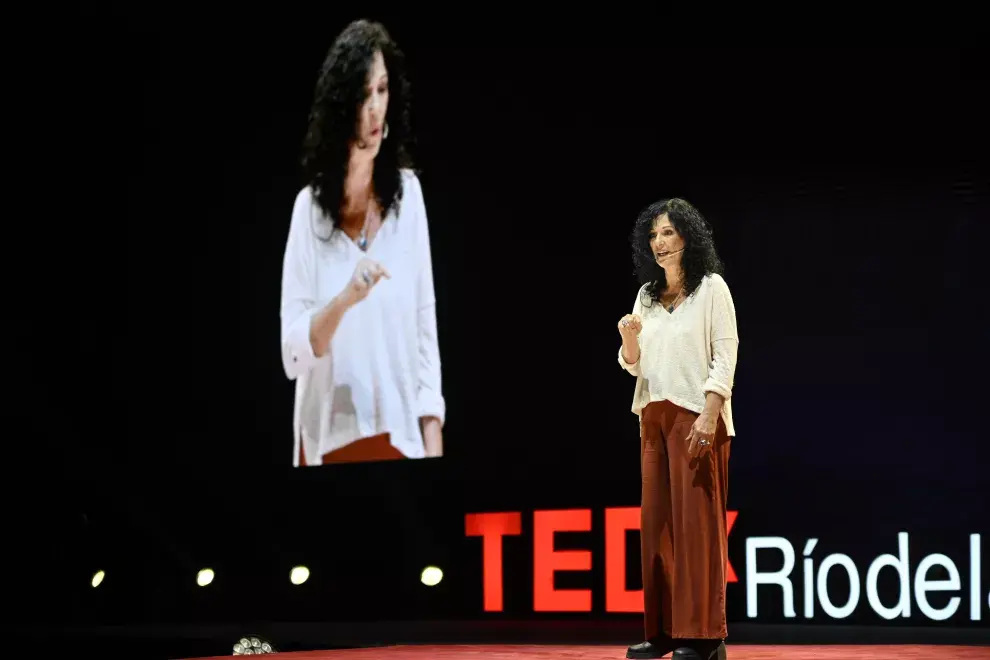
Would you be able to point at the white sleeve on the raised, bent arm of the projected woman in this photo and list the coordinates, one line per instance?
(298, 302)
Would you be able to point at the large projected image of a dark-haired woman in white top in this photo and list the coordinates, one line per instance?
(358, 315)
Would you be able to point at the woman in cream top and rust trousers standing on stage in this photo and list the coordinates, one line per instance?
(680, 342)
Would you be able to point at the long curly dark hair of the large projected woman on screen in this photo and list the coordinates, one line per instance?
(341, 90)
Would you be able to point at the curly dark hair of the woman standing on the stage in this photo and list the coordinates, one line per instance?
(699, 259)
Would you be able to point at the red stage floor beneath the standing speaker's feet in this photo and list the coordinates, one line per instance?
(544, 652)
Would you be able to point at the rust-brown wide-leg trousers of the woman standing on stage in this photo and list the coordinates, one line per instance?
(683, 530)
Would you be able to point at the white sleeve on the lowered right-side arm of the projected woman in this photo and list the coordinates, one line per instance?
(429, 398)
